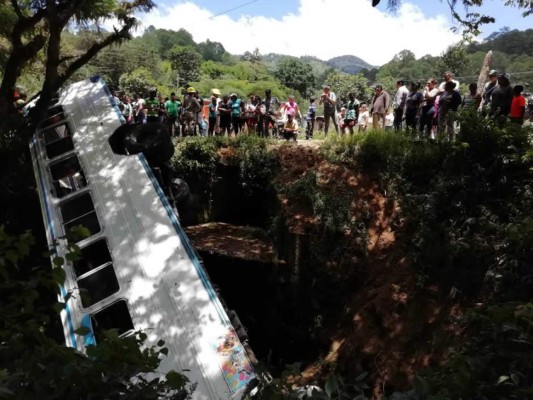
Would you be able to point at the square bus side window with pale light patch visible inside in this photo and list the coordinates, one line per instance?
(67, 176)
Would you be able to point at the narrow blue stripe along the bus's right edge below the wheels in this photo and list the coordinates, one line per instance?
(186, 244)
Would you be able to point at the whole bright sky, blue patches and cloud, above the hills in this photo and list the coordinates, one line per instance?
(325, 28)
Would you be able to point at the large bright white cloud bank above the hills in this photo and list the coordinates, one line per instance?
(321, 28)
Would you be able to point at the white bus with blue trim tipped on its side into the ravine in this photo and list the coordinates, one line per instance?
(138, 269)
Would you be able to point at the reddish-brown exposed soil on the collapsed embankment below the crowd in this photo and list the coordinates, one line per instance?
(391, 327)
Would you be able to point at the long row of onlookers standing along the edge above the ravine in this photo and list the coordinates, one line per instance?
(426, 112)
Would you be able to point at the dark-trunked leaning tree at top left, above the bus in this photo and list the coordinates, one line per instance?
(39, 26)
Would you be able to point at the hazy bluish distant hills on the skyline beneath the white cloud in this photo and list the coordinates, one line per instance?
(347, 63)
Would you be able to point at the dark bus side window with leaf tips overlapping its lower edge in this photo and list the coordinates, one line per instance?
(79, 211)
